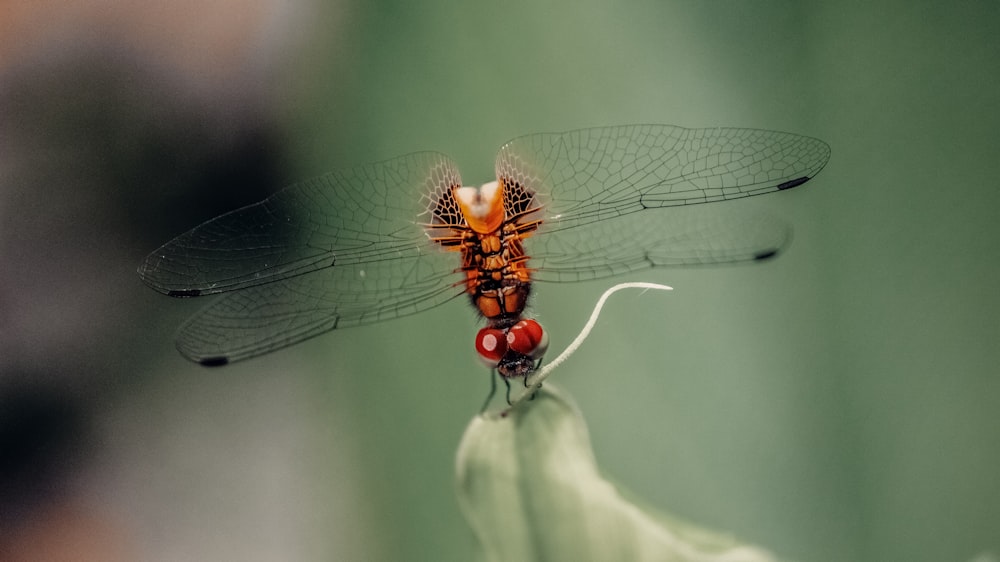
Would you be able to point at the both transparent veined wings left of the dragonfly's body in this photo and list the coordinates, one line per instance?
(339, 250)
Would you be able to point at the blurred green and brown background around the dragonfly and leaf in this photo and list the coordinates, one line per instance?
(840, 403)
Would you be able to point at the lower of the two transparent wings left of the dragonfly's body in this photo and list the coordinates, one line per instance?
(264, 318)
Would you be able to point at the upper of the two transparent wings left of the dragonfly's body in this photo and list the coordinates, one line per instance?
(352, 217)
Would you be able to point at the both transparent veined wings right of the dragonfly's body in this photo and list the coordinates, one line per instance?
(600, 178)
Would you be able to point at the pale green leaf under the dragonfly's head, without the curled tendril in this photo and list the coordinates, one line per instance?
(530, 488)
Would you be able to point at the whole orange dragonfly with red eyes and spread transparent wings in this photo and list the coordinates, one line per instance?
(402, 236)
